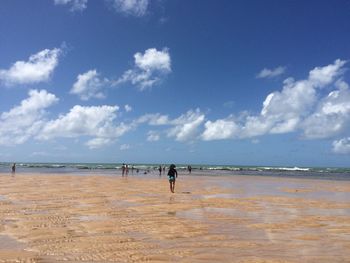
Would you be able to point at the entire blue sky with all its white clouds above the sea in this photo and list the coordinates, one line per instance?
(216, 82)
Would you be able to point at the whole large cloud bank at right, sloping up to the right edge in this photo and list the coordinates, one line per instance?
(296, 107)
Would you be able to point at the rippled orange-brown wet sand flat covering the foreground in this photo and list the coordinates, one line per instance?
(71, 218)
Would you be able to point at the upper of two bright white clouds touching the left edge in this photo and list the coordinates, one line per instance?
(37, 69)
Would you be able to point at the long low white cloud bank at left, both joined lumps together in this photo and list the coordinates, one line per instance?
(29, 121)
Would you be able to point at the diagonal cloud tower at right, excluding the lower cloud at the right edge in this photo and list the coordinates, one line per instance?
(285, 111)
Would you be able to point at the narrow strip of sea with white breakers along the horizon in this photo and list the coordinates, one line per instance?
(329, 173)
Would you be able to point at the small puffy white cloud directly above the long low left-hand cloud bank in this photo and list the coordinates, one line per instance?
(89, 85)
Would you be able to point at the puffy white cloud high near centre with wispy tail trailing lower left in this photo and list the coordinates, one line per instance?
(149, 69)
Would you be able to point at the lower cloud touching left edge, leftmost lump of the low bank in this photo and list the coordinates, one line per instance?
(24, 121)
